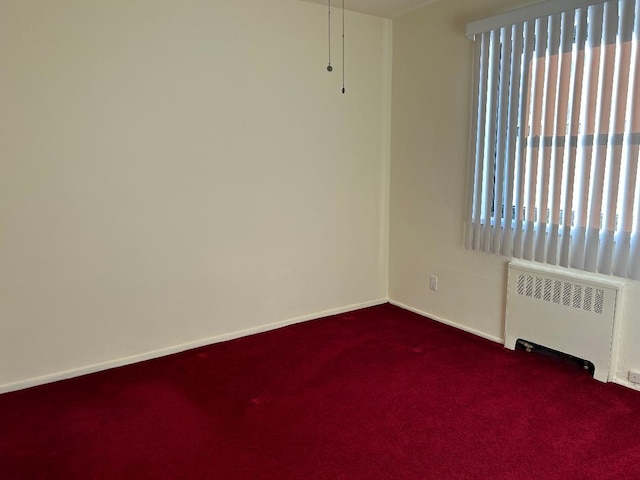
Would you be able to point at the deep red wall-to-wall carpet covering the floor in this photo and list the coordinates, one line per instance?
(375, 394)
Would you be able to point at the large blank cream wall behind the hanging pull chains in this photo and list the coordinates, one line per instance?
(172, 172)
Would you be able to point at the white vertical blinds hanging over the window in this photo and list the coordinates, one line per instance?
(555, 140)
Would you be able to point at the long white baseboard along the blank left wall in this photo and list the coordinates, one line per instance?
(77, 372)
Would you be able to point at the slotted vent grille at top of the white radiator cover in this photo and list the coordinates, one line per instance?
(572, 294)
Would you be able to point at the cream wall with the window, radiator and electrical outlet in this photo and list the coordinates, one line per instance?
(430, 126)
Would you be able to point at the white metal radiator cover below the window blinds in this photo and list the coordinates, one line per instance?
(570, 312)
